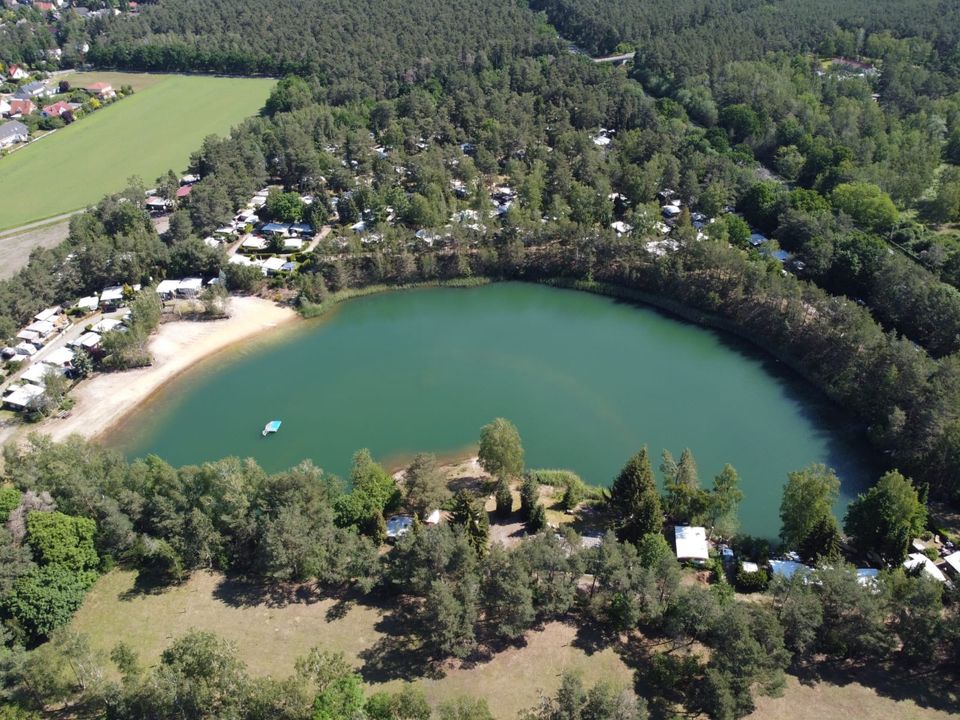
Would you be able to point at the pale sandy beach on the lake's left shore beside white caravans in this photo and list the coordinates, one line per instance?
(177, 346)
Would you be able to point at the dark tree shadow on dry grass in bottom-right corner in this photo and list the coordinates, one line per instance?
(928, 688)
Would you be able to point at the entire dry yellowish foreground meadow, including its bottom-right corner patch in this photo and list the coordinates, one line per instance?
(269, 636)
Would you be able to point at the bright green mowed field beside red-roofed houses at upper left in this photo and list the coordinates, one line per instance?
(145, 134)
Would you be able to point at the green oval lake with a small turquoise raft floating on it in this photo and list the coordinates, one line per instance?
(587, 380)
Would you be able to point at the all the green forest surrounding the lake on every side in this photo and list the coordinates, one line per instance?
(500, 154)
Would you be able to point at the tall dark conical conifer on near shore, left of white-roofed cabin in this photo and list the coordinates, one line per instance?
(633, 500)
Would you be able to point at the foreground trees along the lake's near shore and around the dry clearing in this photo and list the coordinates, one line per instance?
(76, 509)
